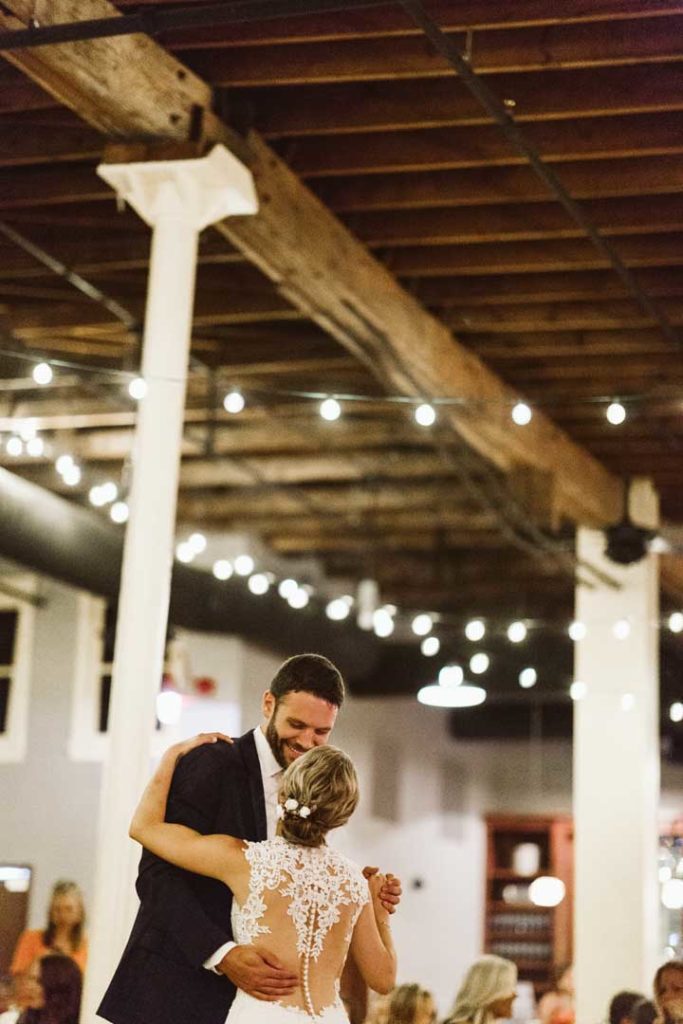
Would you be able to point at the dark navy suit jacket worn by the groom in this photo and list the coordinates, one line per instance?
(185, 918)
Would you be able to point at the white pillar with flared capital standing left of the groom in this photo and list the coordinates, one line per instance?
(178, 199)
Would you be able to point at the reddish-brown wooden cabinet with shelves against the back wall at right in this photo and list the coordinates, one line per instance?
(538, 940)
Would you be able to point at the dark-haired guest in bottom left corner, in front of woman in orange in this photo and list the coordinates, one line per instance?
(55, 997)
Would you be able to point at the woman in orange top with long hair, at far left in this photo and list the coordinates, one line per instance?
(64, 934)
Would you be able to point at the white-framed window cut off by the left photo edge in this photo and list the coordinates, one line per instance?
(17, 627)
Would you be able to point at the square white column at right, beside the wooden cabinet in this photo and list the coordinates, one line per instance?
(617, 776)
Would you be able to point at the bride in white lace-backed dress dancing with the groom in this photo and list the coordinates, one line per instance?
(294, 897)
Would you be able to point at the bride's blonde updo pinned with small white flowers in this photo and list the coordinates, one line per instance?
(324, 783)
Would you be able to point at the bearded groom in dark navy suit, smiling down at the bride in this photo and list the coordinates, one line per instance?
(181, 965)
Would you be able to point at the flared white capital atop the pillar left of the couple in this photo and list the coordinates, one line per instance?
(198, 191)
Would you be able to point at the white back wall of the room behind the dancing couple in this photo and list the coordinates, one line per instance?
(421, 814)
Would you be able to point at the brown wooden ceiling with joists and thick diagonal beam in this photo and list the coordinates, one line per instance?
(448, 271)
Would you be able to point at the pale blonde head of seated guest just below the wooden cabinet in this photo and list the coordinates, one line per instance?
(487, 994)
